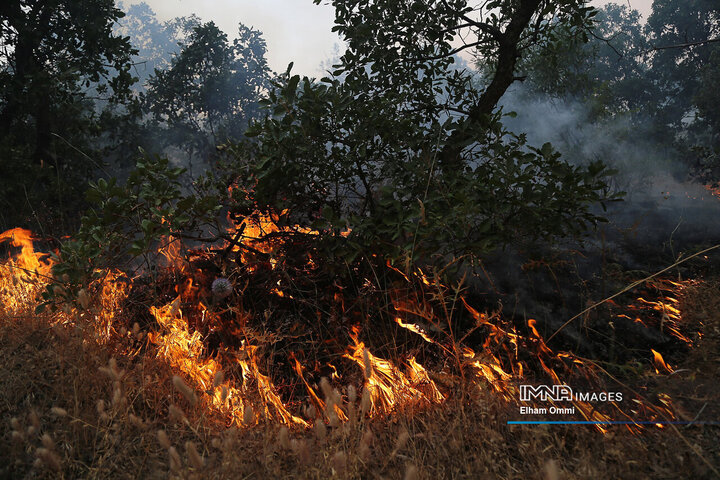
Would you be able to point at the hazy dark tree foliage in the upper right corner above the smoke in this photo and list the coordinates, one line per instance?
(655, 81)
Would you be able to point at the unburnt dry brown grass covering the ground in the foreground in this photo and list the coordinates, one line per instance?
(62, 417)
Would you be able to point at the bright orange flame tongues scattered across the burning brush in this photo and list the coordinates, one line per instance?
(390, 387)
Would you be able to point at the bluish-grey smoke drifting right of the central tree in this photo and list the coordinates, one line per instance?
(661, 203)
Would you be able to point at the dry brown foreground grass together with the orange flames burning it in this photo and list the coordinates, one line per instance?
(87, 392)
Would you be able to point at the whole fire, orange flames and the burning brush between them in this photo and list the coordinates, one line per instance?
(253, 389)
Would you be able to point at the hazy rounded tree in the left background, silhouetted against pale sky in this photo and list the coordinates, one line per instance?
(210, 92)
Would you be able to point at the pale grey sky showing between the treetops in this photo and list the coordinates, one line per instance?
(295, 30)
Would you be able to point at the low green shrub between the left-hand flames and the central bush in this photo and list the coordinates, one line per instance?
(128, 224)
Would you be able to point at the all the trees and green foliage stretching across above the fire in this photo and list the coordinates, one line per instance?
(399, 141)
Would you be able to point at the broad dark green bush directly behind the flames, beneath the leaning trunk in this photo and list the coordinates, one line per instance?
(337, 157)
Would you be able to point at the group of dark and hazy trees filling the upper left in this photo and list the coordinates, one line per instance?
(84, 84)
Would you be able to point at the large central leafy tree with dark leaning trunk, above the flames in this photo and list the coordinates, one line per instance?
(407, 151)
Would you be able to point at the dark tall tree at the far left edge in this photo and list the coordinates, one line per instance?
(58, 56)
